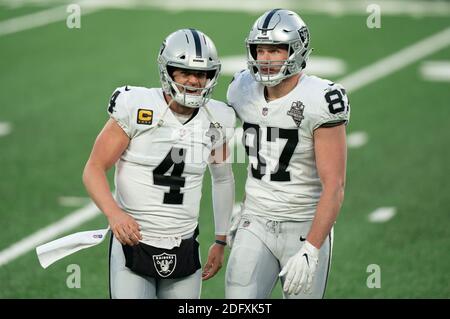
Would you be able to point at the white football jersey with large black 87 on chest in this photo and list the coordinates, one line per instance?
(283, 183)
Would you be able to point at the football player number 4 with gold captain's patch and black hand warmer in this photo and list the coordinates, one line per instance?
(161, 140)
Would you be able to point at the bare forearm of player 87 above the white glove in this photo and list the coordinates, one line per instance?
(327, 211)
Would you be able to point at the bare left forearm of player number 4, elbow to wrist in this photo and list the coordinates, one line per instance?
(96, 183)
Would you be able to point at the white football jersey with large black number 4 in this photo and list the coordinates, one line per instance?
(159, 177)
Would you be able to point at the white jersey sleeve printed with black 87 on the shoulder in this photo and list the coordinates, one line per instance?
(333, 107)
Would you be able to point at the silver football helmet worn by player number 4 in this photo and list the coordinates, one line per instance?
(193, 50)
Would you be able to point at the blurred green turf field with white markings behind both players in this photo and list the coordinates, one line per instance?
(55, 83)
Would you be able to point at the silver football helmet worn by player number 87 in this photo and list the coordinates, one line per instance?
(278, 26)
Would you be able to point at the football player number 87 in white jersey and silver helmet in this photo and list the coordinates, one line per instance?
(294, 135)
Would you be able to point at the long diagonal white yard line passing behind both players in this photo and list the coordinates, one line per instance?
(353, 82)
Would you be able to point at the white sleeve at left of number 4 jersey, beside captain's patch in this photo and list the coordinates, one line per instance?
(118, 110)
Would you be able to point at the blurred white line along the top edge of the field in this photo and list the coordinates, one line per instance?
(330, 7)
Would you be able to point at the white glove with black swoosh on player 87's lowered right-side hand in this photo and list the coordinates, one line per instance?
(300, 270)
